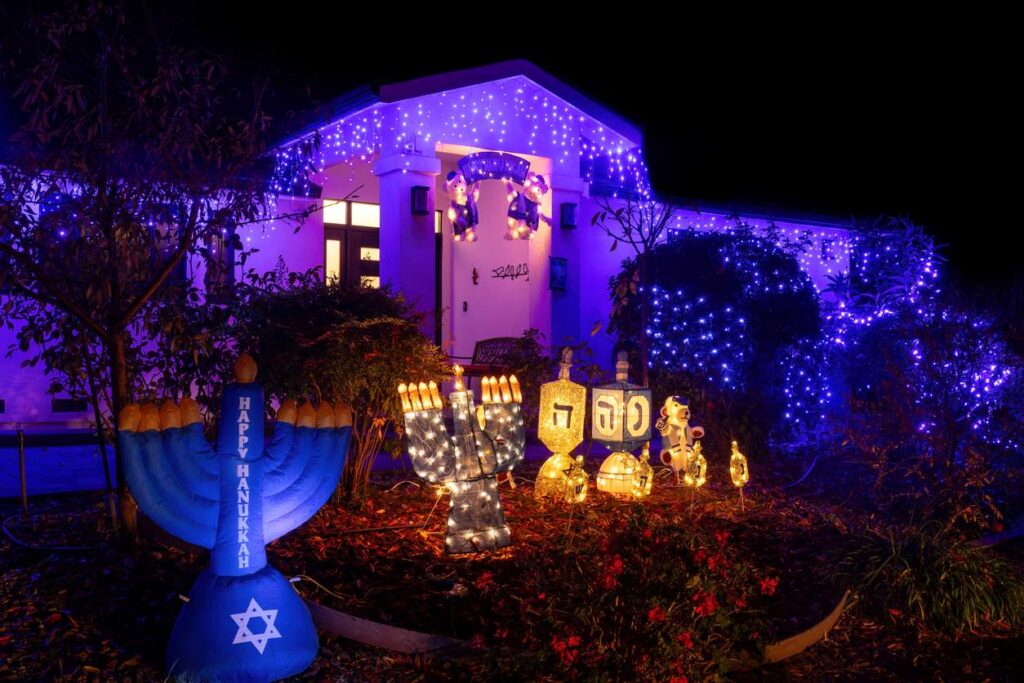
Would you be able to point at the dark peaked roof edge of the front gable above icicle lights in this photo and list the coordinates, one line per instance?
(429, 86)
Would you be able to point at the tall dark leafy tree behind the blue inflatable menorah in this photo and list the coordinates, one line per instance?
(135, 154)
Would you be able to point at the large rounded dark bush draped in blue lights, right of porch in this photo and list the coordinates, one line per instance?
(734, 323)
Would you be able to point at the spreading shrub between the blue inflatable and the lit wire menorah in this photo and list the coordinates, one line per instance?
(339, 344)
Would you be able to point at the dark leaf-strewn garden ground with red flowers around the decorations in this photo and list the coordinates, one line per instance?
(661, 590)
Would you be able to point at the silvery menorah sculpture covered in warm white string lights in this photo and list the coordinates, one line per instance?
(485, 442)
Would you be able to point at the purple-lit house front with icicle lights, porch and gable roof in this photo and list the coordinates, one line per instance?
(381, 170)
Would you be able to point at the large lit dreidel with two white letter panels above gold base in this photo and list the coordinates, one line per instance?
(621, 420)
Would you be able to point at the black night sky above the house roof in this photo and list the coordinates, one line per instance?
(847, 116)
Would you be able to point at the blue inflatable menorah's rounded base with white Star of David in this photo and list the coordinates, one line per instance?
(248, 629)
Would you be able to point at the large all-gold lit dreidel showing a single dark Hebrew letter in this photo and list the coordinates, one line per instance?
(564, 404)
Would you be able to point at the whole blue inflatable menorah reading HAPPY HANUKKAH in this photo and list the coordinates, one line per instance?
(243, 621)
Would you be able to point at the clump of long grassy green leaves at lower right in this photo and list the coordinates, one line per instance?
(934, 578)
